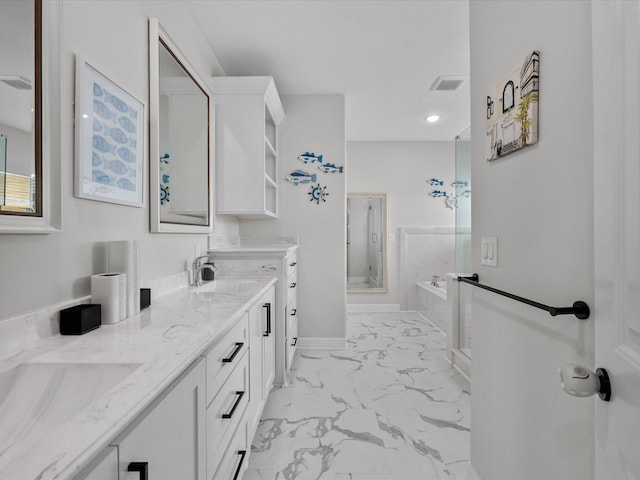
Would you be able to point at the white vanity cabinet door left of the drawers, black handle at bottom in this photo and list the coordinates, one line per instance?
(169, 439)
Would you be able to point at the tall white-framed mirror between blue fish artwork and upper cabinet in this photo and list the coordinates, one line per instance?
(180, 113)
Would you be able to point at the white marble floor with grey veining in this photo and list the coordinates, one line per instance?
(389, 407)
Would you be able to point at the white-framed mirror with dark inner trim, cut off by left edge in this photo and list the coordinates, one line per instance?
(29, 116)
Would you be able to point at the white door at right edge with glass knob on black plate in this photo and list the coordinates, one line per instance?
(616, 67)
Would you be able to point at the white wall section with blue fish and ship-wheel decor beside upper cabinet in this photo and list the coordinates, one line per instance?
(313, 123)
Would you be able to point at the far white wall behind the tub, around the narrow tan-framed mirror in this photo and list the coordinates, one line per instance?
(401, 169)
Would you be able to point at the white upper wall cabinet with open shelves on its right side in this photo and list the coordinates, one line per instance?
(248, 111)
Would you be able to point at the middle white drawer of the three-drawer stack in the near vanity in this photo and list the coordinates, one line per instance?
(226, 412)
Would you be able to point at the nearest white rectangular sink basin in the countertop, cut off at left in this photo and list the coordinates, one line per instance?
(35, 398)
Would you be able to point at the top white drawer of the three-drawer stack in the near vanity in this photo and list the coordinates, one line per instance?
(225, 355)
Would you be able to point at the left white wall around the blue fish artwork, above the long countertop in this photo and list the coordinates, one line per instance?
(41, 270)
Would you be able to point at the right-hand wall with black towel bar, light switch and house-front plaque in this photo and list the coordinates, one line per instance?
(538, 202)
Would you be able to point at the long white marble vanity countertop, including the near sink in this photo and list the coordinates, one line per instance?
(129, 365)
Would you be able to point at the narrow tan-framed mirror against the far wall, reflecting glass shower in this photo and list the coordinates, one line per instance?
(366, 243)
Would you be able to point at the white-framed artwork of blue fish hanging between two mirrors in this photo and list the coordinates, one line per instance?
(109, 140)
